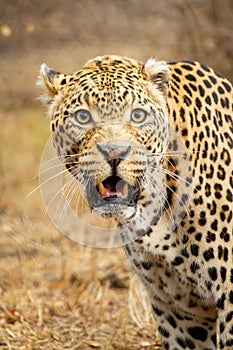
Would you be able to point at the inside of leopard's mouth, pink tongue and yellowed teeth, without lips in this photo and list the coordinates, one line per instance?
(113, 187)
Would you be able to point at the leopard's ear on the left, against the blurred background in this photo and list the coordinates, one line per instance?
(50, 82)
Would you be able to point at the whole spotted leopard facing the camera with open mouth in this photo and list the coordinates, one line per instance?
(150, 144)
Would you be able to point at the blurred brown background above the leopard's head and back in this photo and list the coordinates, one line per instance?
(64, 34)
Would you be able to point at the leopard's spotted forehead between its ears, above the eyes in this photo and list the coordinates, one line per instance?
(107, 81)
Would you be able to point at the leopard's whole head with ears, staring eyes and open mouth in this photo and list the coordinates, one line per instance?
(110, 126)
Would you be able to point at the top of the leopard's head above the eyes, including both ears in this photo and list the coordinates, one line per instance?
(106, 84)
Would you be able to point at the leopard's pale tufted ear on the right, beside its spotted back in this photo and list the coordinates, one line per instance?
(158, 73)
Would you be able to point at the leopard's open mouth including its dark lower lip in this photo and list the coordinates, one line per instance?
(113, 190)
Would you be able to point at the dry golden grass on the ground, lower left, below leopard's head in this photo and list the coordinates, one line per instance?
(58, 295)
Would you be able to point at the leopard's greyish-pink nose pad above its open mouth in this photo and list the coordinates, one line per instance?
(114, 151)
